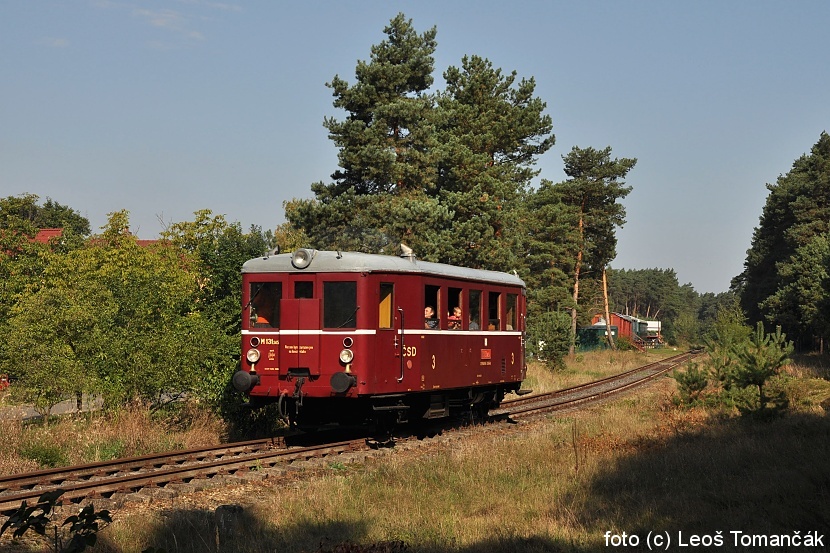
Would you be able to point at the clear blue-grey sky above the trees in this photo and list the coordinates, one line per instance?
(165, 107)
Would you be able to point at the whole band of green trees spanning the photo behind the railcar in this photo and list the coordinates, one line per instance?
(447, 171)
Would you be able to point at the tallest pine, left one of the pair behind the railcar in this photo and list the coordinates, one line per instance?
(386, 153)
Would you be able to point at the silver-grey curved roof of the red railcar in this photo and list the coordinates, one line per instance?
(354, 262)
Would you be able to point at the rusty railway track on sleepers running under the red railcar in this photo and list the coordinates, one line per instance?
(166, 470)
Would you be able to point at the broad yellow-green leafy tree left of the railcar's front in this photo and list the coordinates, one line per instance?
(113, 318)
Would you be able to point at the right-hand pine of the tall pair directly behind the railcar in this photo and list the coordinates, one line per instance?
(491, 131)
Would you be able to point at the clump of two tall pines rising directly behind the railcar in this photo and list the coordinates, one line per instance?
(444, 172)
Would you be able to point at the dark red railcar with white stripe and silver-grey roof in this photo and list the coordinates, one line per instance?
(345, 337)
